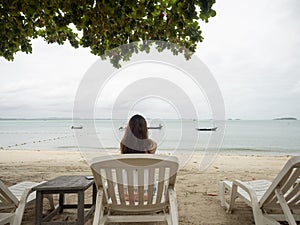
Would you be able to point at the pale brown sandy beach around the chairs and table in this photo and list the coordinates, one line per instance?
(197, 192)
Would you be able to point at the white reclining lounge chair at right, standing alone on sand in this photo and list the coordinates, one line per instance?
(271, 202)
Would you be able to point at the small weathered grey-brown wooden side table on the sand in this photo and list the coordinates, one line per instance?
(65, 185)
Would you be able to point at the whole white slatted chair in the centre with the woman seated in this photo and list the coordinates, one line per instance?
(145, 194)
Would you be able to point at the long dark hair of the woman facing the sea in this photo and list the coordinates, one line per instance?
(135, 137)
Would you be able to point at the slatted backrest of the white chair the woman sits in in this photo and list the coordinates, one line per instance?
(135, 180)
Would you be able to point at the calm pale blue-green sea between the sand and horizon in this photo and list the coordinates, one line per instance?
(264, 137)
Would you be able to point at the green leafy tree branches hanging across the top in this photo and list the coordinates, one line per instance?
(103, 25)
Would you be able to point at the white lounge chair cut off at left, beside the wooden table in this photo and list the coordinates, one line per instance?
(14, 199)
